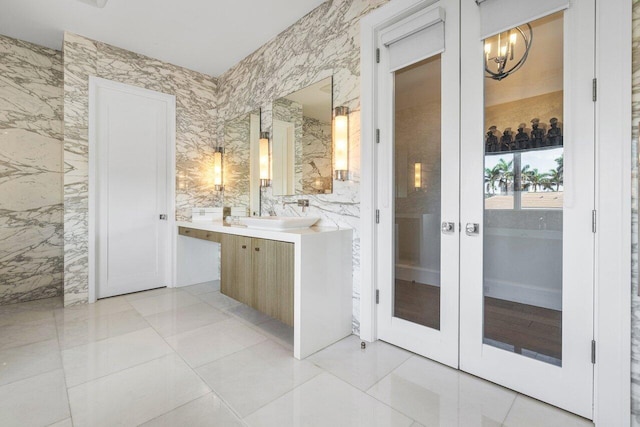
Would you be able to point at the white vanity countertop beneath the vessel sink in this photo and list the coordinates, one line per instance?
(293, 235)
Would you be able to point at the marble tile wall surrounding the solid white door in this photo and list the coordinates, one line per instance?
(195, 138)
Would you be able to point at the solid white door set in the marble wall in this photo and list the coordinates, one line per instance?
(132, 146)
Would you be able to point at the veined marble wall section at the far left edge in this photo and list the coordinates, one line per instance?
(31, 254)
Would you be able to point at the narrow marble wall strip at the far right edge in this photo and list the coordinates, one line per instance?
(635, 300)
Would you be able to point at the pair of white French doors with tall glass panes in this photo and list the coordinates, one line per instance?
(486, 193)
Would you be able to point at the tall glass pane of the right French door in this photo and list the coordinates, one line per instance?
(524, 191)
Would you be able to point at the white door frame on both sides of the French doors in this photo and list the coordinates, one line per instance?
(612, 293)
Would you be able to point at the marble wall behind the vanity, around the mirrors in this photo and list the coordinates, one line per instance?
(325, 42)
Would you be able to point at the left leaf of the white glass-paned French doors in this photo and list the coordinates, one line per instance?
(418, 181)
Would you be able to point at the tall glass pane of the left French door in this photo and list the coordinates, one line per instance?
(417, 156)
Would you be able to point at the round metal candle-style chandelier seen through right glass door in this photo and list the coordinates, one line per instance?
(502, 62)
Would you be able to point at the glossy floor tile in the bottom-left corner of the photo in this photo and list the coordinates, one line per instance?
(35, 401)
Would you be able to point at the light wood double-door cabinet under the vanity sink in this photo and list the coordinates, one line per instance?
(259, 273)
